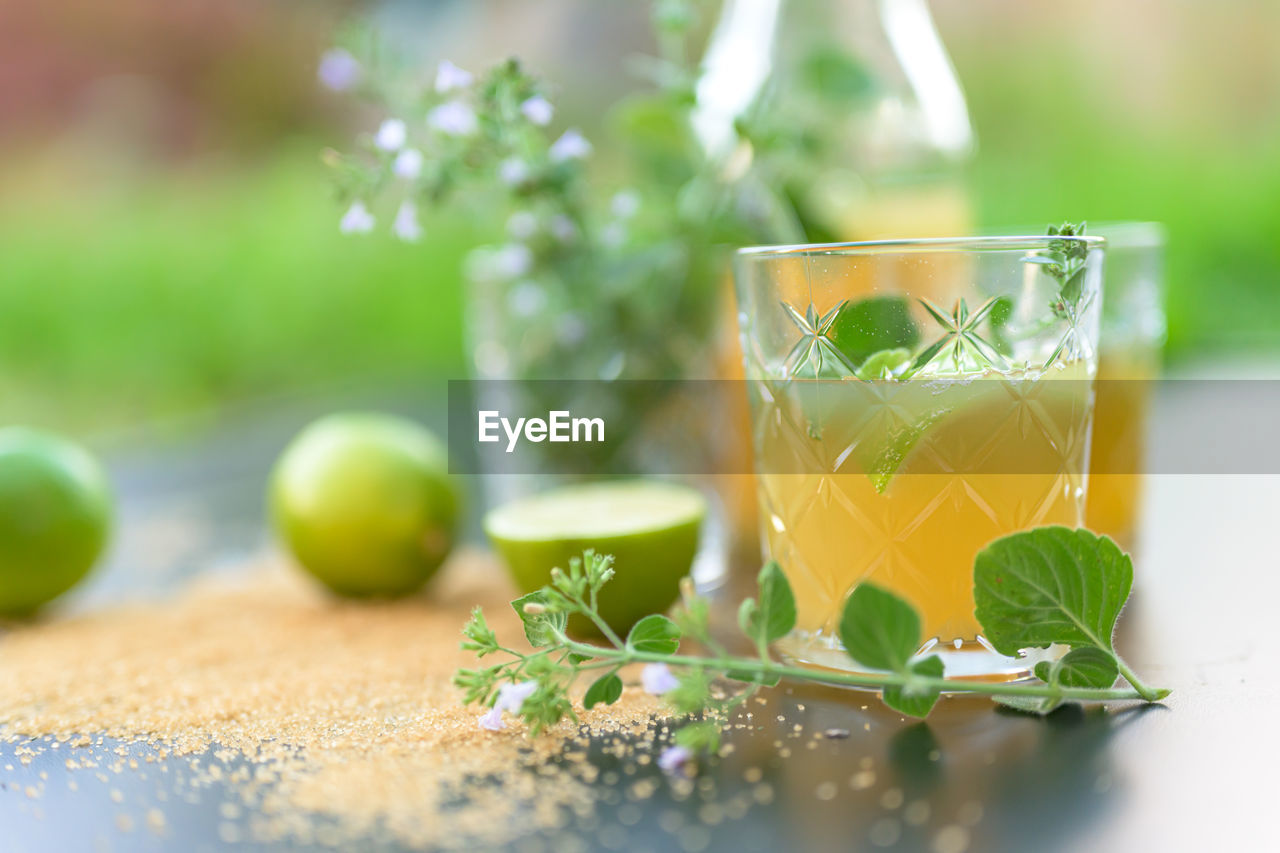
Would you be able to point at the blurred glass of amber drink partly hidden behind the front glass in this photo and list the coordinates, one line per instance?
(1130, 358)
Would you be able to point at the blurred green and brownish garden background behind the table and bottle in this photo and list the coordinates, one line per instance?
(168, 236)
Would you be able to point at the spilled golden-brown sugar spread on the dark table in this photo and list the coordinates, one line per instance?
(310, 708)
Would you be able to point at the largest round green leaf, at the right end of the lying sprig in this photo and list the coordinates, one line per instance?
(1052, 586)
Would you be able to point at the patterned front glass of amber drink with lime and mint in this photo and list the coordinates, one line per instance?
(912, 402)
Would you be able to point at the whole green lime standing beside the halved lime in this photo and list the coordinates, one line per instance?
(365, 504)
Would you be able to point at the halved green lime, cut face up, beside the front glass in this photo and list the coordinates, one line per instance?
(650, 527)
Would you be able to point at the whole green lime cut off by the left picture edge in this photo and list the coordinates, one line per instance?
(56, 512)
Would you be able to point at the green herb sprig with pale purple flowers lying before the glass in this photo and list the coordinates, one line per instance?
(1034, 590)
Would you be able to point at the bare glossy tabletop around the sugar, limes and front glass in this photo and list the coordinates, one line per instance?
(1197, 773)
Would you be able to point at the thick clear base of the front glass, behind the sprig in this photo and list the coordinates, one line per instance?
(971, 660)
